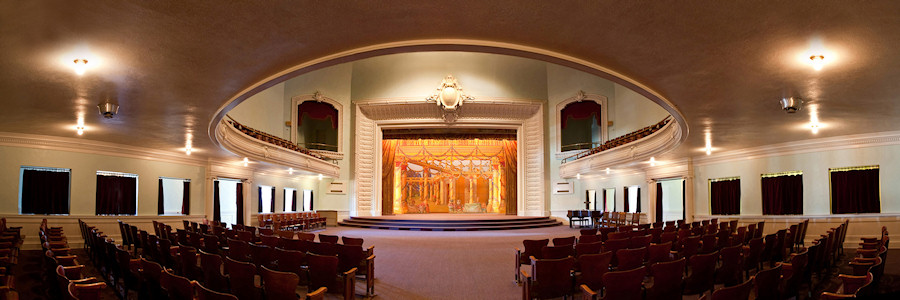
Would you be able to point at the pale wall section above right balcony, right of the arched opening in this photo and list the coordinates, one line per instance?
(631, 111)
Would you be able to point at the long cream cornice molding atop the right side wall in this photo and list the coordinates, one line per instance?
(805, 146)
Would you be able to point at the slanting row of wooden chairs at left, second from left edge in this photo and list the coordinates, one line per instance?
(63, 270)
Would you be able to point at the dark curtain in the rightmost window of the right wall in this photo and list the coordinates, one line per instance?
(855, 191)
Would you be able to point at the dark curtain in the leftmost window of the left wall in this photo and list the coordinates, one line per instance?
(45, 192)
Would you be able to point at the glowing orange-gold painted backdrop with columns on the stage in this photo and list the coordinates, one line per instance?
(448, 176)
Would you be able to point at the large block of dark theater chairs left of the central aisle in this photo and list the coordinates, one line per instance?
(244, 247)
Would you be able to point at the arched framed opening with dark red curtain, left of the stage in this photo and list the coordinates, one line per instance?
(316, 122)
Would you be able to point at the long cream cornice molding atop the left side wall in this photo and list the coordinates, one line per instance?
(96, 147)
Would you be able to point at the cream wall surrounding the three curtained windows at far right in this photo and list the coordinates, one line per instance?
(816, 189)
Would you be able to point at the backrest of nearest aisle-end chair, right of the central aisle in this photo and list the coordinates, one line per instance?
(552, 277)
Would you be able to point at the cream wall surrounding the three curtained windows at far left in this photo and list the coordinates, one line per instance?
(84, 178)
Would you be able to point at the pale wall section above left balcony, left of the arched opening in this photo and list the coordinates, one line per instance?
(265, 111)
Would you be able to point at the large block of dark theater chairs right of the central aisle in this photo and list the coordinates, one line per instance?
(625, 251)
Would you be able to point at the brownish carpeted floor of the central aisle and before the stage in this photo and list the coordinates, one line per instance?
(442, 265)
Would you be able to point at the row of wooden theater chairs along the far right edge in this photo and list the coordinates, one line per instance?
(867, 266)
